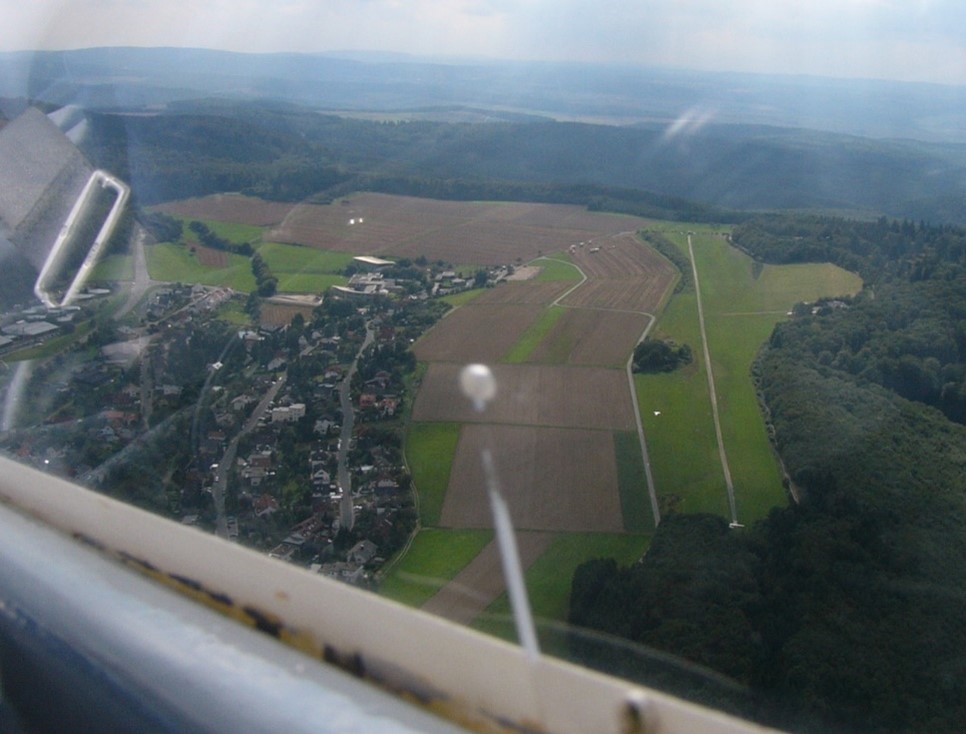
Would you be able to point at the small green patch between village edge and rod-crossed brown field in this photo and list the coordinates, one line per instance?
(430, 448)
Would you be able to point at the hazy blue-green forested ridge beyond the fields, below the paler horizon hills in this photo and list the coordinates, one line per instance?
(287, 152)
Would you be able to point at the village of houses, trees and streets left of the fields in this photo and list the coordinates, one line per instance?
(240, 430)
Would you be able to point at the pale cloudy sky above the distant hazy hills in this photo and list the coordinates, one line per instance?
(912, 40)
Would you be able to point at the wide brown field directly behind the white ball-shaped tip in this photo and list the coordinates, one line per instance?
(530, 395)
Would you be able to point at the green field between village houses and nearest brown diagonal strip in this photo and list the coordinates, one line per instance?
(434, 558)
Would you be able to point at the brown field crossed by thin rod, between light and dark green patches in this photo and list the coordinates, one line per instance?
(552, 478)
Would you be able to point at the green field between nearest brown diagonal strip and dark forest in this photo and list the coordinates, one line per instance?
(548, 580)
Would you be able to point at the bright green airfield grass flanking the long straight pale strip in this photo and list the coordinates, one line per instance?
(742, 303)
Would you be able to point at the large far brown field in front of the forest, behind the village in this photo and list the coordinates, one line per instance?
(483, 233)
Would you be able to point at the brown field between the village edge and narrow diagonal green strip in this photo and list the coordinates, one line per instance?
(476, 333)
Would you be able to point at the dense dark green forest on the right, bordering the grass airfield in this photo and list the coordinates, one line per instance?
(844, 610)
